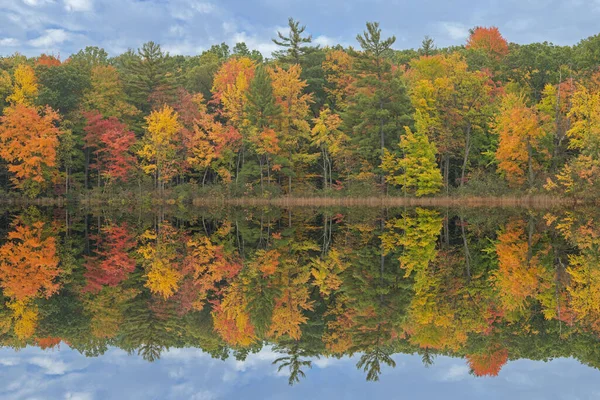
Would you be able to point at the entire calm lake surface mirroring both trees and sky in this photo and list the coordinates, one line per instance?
(344, 303)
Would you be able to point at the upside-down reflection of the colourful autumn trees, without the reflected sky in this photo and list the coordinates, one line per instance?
(485, 286)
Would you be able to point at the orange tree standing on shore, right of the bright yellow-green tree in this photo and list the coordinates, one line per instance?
(521, 147)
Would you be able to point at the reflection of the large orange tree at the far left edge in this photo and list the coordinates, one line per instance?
(29, 263)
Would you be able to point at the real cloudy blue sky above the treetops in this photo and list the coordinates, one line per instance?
(191, 26)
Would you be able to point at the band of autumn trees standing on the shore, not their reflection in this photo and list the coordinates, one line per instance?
(487, 117)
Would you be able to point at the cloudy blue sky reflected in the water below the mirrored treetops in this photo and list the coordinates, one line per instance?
(190, 374)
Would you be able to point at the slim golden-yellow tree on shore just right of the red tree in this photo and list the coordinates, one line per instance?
(159, 150)
